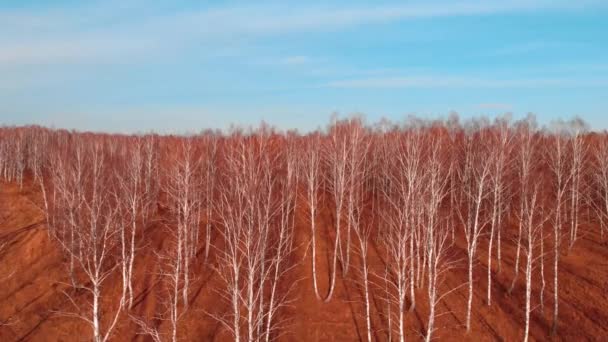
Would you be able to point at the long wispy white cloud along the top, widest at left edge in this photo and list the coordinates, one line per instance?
(100, 33)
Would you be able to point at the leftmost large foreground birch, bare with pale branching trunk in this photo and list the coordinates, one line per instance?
(93, 224)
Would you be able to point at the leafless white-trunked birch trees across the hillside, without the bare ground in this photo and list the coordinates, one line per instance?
(416, 188)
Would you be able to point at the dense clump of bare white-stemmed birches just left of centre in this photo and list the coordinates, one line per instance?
(255, 210)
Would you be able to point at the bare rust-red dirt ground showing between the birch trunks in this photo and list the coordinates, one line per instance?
(34, 284)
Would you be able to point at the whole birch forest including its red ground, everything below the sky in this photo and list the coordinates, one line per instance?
(480, 229)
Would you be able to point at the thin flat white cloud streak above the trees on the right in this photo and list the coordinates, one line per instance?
(461, 82)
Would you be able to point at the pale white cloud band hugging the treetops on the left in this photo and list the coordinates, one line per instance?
(183, 118)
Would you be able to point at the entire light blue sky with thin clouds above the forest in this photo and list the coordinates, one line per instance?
(183, 66)
